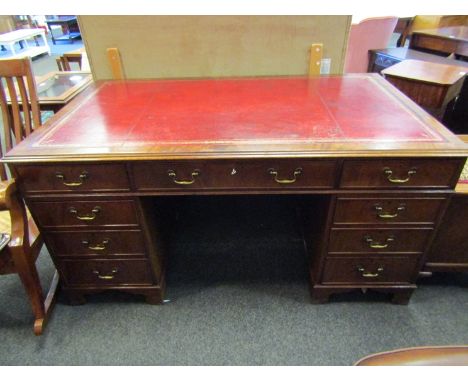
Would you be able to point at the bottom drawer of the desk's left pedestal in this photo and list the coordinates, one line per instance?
(99, 273)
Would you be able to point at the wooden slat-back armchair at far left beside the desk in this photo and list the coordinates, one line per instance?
(20, 255)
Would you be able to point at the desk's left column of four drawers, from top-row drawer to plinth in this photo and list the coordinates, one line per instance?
(98, 234)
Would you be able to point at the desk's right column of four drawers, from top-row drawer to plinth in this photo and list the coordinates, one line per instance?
(379, 239)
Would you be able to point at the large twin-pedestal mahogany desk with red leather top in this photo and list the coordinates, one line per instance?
(384, 169)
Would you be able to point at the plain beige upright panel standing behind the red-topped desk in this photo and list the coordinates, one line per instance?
(212, 46)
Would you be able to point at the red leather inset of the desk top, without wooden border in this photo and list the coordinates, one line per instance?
(246, 109)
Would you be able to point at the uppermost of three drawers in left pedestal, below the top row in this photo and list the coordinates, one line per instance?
(78, 213)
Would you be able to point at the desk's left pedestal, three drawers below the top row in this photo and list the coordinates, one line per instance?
(101, 244)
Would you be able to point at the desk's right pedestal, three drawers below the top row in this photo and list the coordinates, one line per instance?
(375, 241)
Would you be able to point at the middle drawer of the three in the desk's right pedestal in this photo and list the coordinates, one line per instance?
(386, 240)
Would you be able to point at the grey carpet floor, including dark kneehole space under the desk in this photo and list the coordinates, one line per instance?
(238, 295)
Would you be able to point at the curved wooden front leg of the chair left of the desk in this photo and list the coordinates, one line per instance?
(28, 274)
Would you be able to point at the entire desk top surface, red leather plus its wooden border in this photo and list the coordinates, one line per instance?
(165, 116)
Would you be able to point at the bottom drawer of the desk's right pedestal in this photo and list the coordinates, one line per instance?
(364, 270)
